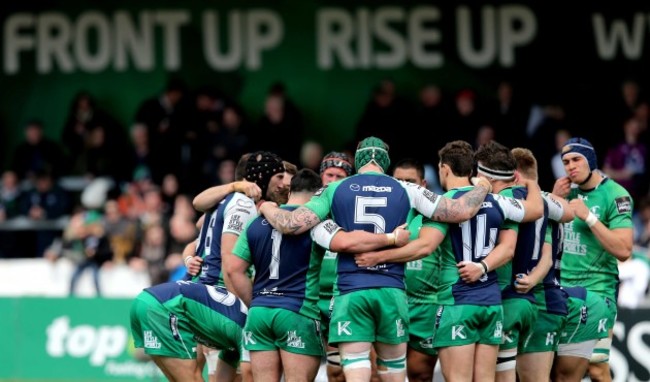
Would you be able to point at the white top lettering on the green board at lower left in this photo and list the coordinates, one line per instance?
(99, 343)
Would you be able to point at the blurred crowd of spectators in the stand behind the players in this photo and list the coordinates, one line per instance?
(125, 192)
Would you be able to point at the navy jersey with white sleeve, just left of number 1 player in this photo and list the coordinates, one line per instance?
(230, 216)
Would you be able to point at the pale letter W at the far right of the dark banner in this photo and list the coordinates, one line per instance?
(629, 39)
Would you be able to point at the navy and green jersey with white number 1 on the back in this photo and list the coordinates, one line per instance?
(286, 267)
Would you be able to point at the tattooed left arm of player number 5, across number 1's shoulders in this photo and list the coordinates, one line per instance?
(289, 222)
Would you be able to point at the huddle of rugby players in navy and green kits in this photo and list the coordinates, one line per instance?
(495, 279)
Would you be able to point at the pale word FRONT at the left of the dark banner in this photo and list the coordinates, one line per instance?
(64, 44)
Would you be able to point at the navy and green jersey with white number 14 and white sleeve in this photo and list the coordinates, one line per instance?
(473, 240)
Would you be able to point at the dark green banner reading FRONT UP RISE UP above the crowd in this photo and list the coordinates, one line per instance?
(329, 54)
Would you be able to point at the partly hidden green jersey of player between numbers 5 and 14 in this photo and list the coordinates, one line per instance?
(421, 275)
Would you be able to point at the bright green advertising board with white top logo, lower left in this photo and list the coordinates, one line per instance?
(69, 339)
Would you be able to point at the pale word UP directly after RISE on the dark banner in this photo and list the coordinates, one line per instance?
(504, 29)
